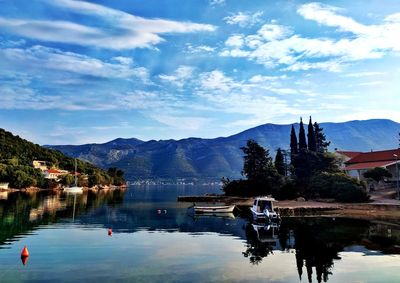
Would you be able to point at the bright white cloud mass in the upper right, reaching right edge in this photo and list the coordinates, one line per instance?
(276, 45)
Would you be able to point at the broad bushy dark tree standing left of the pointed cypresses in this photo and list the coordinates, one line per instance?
(257, 162)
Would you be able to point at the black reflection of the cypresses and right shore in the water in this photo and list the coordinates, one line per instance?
(316, 242)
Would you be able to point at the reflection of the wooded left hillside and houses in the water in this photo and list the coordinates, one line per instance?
(23, 212)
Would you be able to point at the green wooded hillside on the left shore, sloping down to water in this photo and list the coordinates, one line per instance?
(17, 155)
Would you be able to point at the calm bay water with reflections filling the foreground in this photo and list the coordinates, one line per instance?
(156, 239)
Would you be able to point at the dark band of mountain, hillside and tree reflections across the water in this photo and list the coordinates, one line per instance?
(315, 244)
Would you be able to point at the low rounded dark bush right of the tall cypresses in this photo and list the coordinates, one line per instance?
(339, 186)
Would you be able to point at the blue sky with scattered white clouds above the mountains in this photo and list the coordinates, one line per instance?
(74, 72)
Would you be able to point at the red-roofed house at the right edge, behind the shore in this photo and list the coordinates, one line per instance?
(364, 161)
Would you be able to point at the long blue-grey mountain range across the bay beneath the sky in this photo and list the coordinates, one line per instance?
(214, 158)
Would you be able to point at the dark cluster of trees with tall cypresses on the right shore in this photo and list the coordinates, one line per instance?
(312, 171)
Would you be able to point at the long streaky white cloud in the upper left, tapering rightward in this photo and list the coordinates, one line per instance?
(125, 31)
